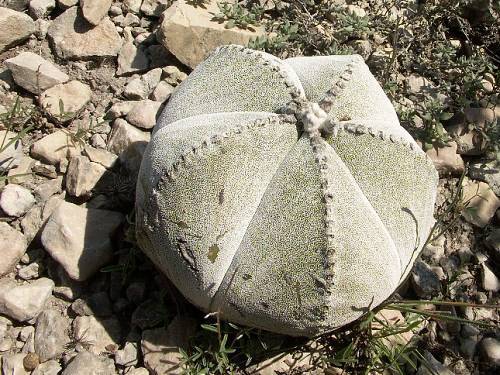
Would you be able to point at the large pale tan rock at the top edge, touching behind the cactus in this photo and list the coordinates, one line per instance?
(190, 33)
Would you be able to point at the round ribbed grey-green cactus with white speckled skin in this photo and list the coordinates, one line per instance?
(278, 212)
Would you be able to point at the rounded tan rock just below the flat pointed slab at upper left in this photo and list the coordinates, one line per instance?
(71, 96)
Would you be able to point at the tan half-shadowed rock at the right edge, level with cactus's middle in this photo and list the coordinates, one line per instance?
(481, 203)
